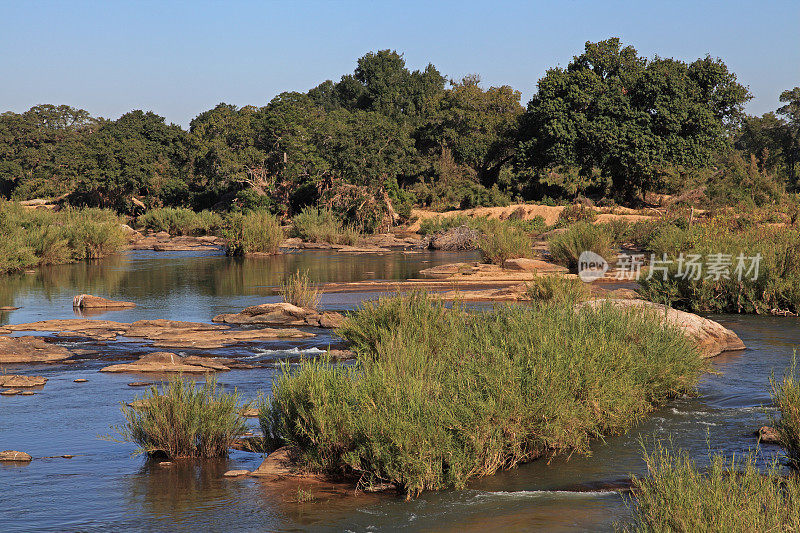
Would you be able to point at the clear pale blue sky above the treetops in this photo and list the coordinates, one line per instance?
(181, 58)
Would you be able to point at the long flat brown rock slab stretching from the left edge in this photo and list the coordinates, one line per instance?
(163, 333)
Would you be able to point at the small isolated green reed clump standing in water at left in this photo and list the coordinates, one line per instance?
(183, 420)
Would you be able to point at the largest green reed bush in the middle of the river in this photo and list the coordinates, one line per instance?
(439, 396)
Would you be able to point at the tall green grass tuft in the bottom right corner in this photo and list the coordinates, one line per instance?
(731, 495)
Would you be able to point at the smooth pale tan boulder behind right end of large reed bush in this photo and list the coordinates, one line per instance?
(712, 338)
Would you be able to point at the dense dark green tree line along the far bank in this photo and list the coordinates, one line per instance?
(609, 124)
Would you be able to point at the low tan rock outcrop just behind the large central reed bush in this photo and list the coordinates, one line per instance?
(282, 314)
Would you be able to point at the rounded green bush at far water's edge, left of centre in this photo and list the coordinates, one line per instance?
(253, 232)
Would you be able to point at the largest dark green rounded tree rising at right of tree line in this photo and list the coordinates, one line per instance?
(629, 117)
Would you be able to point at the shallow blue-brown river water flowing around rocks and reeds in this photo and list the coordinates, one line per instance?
(104, 487)
